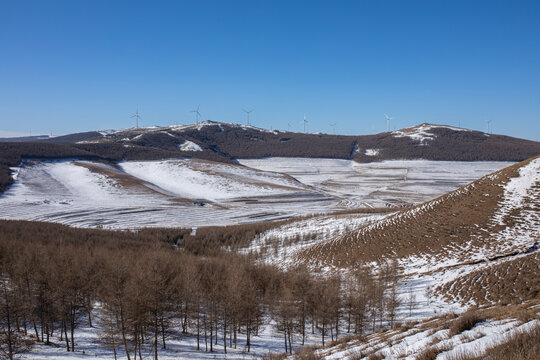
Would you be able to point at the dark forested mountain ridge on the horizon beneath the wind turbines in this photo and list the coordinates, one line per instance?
(227, 142)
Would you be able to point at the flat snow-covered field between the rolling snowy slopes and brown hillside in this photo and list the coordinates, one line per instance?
(393, 181)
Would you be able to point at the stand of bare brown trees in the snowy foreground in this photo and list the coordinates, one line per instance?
(139, 294)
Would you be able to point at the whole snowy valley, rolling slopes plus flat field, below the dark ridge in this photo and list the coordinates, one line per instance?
(196, 193)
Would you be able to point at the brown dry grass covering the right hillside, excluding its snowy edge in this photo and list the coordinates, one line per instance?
(436, 228)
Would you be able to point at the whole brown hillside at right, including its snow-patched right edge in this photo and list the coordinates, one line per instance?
(493, 216)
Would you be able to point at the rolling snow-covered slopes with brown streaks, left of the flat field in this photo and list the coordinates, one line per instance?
(168, 194)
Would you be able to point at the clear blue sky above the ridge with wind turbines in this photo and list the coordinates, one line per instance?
(70, 66)
